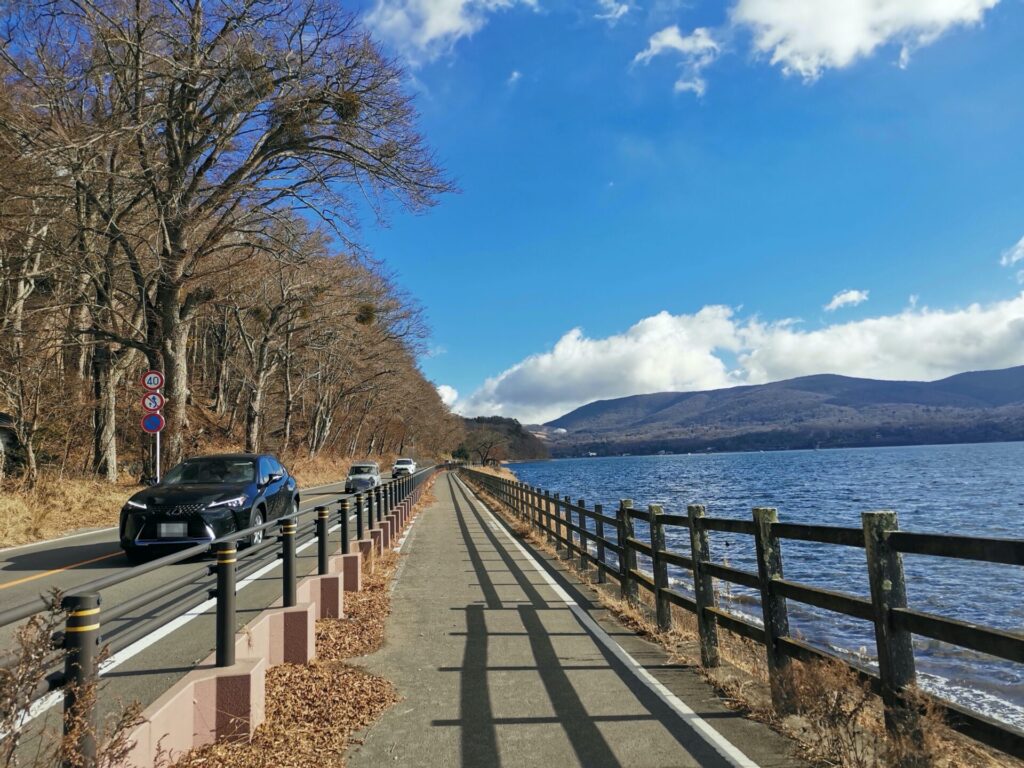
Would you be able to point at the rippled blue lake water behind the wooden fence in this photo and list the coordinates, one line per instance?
(975, 490)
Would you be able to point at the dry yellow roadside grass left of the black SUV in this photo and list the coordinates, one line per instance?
(58, 507)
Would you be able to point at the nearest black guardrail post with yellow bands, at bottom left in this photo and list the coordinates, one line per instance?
(81, 645)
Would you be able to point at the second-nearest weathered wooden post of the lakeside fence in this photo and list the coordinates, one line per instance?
(777, 619)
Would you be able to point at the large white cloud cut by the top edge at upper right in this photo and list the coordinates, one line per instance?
(806, 37)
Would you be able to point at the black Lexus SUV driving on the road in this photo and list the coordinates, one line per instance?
(206, 498)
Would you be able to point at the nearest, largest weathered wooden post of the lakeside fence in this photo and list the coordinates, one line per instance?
(897, 665)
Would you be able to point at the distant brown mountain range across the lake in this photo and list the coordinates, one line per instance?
(824, 411)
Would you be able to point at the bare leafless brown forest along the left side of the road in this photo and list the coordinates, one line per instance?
(182, 190)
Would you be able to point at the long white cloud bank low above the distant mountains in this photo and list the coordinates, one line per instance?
(667, 353)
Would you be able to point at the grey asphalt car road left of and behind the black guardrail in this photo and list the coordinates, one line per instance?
(148, 668)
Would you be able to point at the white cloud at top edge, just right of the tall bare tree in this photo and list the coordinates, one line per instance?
(425, 29)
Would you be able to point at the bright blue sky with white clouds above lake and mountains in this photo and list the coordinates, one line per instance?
(667, 196)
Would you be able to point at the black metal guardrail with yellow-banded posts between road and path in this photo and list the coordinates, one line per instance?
(81, 637)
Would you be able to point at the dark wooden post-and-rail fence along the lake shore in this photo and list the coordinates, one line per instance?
(566, 525)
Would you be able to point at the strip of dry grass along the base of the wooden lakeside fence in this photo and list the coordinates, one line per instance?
(840, 721)
